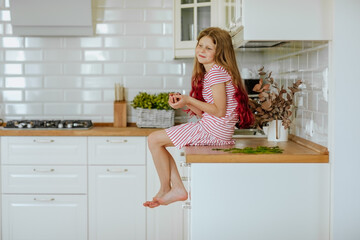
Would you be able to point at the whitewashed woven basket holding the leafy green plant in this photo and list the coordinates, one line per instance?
(154, 118)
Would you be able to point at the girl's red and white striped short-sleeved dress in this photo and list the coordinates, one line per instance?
(209, 130)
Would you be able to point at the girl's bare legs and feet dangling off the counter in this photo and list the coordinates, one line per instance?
(170, 180)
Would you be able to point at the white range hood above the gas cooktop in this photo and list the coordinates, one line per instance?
(51, 17)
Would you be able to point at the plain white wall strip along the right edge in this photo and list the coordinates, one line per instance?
(344, 129)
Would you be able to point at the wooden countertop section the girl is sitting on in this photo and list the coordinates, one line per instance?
(296, 150)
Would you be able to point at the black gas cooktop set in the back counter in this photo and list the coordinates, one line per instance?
(49, 124)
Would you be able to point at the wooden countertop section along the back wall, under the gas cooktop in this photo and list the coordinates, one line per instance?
(97, 130)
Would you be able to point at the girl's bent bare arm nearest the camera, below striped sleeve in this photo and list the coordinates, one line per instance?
(218, 108)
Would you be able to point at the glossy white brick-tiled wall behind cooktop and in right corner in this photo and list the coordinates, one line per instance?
(74, 77)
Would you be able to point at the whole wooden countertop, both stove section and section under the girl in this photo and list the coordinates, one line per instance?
(296, 150)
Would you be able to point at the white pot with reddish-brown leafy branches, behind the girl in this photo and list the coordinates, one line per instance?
(274, 105)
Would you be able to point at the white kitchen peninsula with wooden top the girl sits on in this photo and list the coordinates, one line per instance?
(260, 196)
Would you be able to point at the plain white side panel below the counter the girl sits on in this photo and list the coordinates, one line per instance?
(260, 201)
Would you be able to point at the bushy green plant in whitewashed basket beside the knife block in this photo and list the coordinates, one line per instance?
(153, 110)
